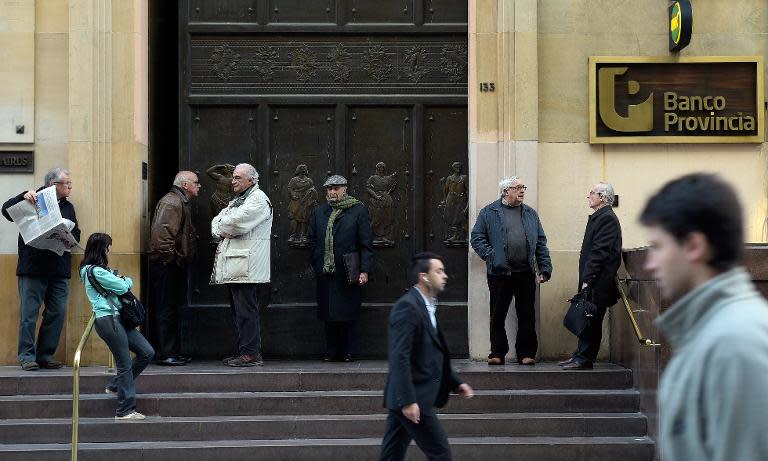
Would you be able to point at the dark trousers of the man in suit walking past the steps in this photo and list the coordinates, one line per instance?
(428, 434)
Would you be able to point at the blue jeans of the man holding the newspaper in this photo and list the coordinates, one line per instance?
(33, 292)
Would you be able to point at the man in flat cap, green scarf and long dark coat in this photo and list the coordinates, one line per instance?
(338, 228)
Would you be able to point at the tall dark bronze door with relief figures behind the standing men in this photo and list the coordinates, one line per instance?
(372, 90)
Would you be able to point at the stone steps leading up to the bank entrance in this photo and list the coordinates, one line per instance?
(313, 411)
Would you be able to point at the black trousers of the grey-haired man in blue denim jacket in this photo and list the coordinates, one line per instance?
(522, 287)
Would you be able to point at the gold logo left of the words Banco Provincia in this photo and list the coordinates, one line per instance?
(639, 116)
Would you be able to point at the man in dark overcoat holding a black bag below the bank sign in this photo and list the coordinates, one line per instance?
(599, 262)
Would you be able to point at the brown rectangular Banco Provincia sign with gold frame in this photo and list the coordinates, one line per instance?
(676, 100)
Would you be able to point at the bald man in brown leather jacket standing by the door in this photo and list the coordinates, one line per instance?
(171, 248)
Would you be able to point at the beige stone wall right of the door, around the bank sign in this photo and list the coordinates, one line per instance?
(536, 126)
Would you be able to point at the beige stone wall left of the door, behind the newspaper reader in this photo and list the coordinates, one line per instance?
(90, 115)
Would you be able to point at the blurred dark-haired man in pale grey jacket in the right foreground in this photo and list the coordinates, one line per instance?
(712, 404)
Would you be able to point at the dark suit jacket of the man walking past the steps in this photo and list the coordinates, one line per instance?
(419, 362)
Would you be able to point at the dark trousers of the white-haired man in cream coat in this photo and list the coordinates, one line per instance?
(247, 299)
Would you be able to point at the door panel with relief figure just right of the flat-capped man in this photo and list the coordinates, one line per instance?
(379, 162)
